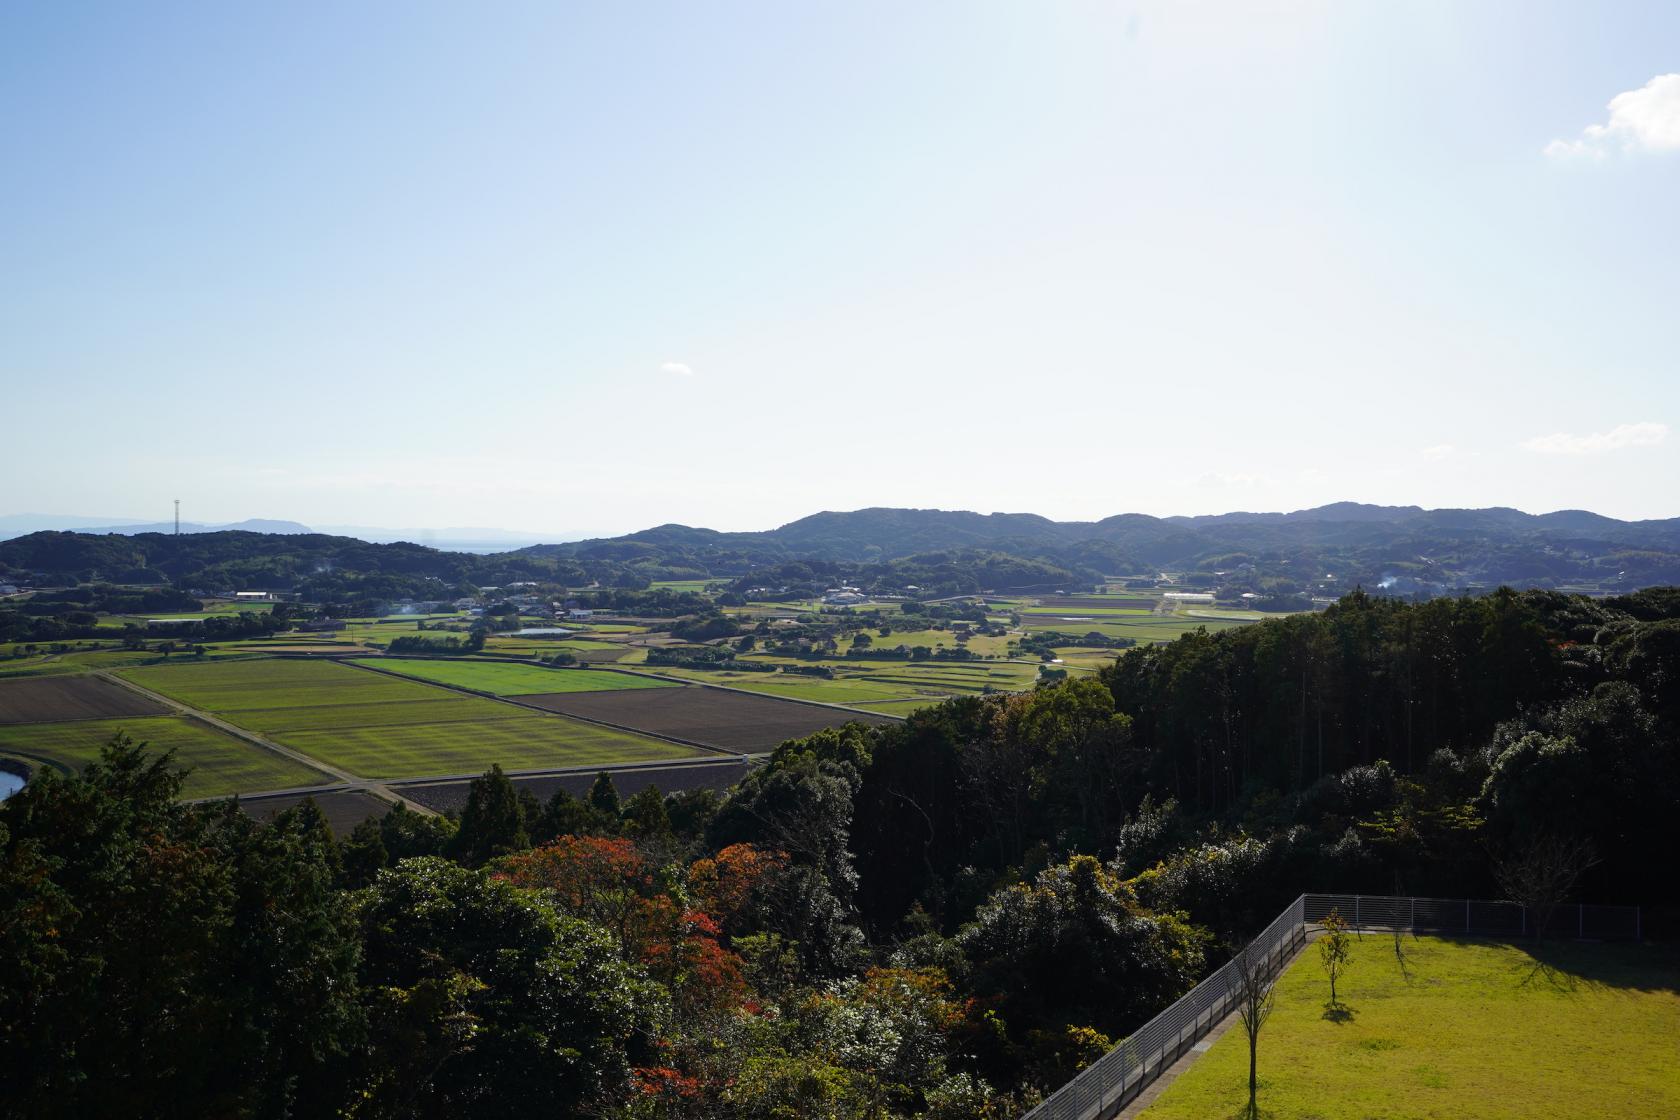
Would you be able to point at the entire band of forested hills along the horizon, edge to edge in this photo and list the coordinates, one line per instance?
(1320, 552)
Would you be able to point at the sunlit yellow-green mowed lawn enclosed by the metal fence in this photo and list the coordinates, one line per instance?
(1471, 1032)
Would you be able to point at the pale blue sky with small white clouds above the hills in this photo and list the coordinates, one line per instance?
(599, 268)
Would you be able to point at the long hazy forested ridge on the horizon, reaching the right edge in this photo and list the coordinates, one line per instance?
(1424, 552)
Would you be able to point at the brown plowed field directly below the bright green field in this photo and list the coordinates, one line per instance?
(733, 721)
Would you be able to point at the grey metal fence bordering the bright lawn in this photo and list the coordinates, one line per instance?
(1116, 1079)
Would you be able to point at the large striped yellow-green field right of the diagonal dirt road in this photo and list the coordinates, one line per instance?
(381, 726)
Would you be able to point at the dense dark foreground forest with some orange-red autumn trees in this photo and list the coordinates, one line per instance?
(942, 918)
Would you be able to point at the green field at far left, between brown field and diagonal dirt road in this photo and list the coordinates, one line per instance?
(218, 763)
